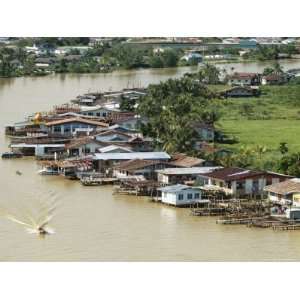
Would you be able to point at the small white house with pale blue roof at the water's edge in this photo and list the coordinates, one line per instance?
(180, 195)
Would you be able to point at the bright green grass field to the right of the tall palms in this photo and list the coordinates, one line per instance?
(268, 120)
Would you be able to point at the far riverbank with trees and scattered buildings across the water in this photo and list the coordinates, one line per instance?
(41, 56)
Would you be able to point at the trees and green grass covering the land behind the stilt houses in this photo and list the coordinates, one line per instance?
(257, 132)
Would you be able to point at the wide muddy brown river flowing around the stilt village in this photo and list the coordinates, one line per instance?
(92, 223)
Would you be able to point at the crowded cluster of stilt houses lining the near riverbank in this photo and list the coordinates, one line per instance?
(99, 140)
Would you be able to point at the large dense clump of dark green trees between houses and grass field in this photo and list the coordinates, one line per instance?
(172, 108)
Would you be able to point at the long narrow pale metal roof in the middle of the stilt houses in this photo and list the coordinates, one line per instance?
(132, 155)
